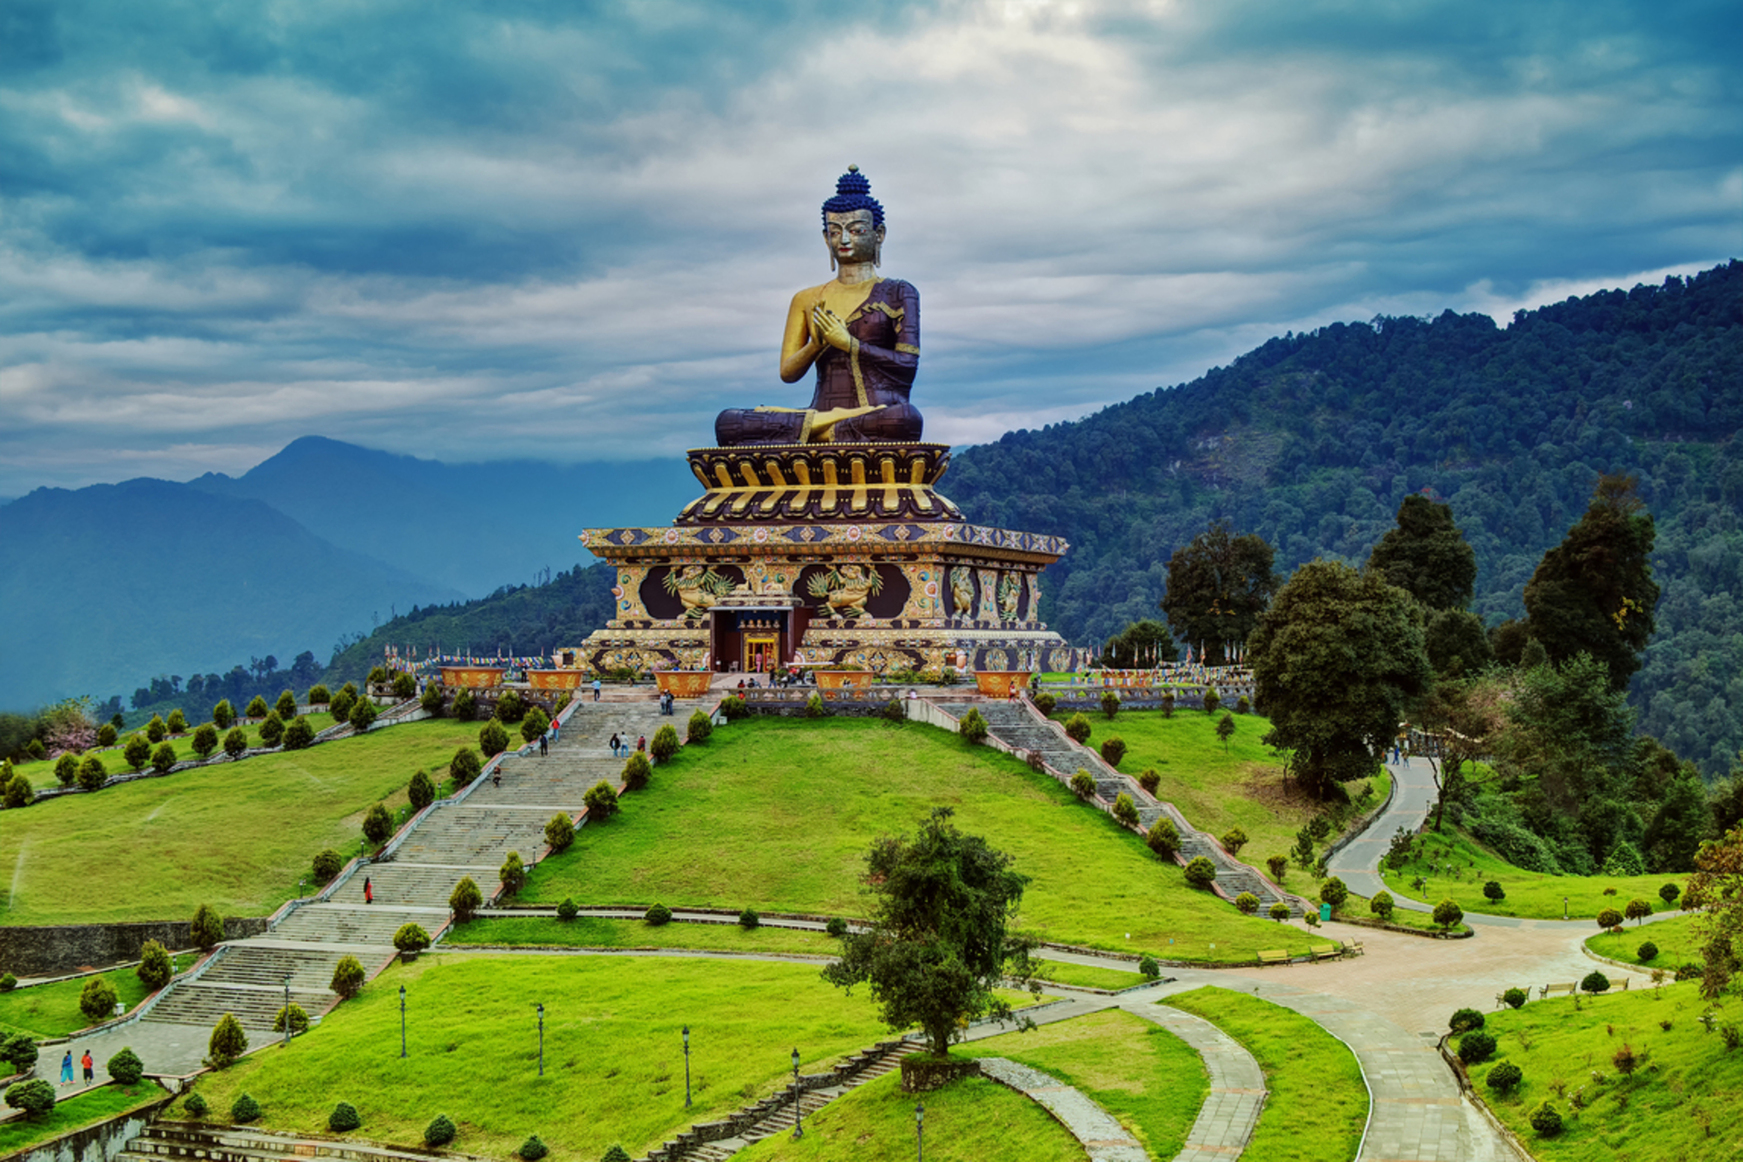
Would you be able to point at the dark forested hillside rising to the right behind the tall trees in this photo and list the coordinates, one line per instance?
(1313, 440)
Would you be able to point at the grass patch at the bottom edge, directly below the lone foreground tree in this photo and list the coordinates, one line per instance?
(970, 1121)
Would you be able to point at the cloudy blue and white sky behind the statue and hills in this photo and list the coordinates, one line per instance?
(569, 231)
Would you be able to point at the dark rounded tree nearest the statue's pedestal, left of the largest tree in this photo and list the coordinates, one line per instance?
(1217, 588)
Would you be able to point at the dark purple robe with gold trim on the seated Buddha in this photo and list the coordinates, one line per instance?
(879, 370)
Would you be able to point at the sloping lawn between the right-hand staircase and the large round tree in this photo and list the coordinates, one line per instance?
(1214, 788)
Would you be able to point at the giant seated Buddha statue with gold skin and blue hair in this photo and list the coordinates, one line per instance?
(862, 334)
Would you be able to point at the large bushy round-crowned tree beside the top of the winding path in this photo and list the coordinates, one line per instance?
(1338, 659)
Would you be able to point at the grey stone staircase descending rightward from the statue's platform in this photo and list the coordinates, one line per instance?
(1021, 727)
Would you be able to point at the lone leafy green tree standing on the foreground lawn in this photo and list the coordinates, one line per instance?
(940, 943)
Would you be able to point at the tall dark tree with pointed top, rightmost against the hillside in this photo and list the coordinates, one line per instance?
(1596, 593)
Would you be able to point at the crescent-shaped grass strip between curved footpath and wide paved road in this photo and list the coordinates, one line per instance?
(1319, 1102)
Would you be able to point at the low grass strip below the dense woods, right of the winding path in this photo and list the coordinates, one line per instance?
(1460, 867)
